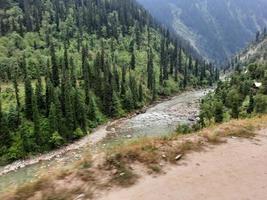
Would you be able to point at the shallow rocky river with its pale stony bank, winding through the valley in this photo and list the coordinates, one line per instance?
(161, 119)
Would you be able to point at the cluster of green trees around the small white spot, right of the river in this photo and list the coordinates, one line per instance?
(238, 97)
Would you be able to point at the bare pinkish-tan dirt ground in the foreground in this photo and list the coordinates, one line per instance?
(236, 170)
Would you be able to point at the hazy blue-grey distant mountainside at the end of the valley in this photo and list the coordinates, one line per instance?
(217, 28)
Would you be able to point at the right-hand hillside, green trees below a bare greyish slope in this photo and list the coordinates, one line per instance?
(244, 93)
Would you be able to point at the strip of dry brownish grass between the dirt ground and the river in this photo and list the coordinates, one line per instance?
(116, 165)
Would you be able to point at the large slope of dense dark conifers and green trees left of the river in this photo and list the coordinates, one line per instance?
(67, 66)
